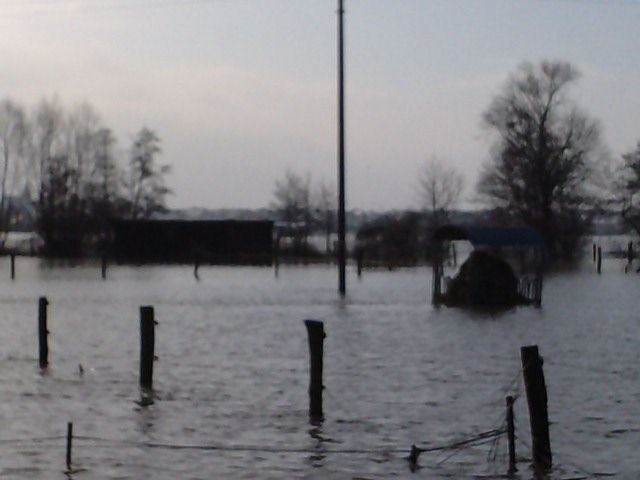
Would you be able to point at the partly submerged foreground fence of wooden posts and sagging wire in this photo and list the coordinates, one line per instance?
(531, 369)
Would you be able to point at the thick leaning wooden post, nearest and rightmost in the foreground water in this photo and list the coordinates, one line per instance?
(537, 401)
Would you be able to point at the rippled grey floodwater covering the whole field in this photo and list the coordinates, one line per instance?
(232, 375)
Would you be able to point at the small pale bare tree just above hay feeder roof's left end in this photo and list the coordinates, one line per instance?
(439, 187)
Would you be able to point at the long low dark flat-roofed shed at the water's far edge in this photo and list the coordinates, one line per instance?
(203, 241)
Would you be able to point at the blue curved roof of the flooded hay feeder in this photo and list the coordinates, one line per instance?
(491, 236)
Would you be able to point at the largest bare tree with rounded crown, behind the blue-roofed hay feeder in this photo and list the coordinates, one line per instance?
(543, 156)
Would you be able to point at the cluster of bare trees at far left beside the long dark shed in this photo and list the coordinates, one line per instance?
(65, 163)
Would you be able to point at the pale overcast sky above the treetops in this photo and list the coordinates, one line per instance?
(241, 90)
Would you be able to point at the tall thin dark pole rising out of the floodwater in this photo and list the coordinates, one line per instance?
(342, 222)
